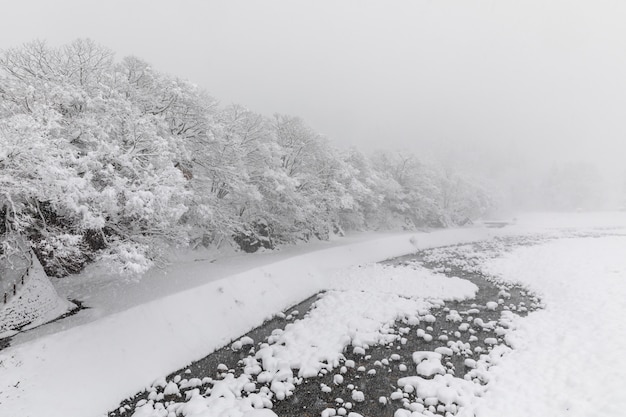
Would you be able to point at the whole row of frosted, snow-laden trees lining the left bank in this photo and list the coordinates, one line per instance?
(106, 159)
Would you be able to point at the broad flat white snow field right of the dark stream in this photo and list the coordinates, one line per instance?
(568, 357)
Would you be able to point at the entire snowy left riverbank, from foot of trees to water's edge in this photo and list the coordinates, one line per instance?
(102, 360)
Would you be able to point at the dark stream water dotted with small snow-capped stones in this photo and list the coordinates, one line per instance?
(391, 361)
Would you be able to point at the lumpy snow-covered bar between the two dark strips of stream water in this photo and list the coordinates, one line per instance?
(358, 317)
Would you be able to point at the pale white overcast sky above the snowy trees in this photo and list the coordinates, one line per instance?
(538, 79)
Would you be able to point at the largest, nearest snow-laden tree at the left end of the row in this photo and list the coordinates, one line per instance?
(100, 163)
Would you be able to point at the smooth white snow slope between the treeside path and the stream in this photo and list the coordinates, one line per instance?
(86, 370)
